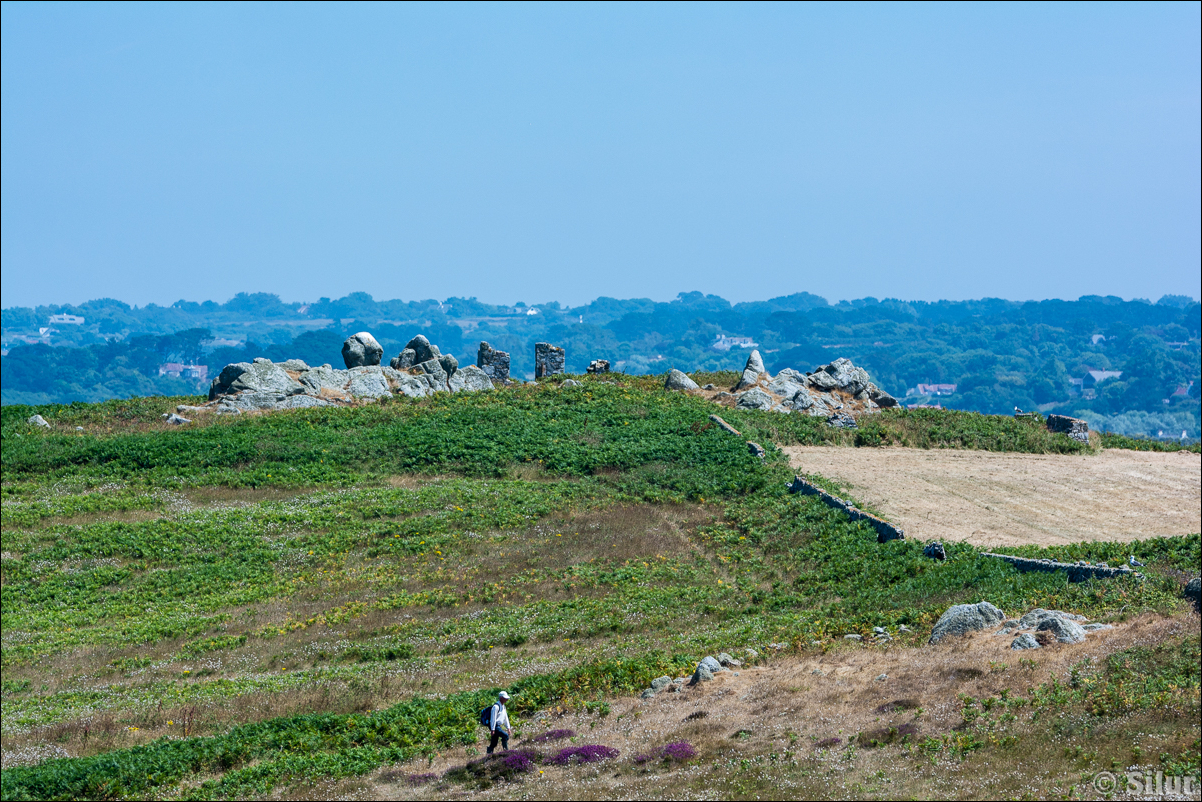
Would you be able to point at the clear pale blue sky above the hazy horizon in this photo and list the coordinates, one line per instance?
(564, 152)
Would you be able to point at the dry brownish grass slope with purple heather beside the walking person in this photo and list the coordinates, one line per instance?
(755, 730)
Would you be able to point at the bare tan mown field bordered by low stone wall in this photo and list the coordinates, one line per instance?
(1008, 500)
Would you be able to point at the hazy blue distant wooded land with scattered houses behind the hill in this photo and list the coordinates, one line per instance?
(999, 354)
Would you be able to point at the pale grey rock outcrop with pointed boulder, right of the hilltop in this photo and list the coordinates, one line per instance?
(837, 391)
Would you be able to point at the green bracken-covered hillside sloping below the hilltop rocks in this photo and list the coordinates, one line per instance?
(243, 605)
